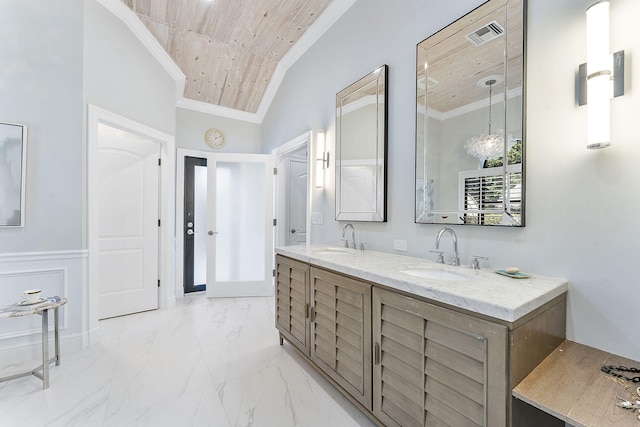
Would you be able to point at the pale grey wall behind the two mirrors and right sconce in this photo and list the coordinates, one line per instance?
(580, 203)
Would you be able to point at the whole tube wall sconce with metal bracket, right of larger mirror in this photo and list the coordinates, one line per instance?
(601, 78)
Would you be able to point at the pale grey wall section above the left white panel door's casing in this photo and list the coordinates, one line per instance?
(121, 76)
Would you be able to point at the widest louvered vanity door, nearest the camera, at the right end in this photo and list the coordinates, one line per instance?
(436, 367)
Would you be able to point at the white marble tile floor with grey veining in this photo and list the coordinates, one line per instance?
(205, 362)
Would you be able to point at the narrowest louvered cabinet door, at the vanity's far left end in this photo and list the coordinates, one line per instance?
(292, 290)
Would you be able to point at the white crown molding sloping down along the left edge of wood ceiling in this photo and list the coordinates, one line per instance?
(131, 20)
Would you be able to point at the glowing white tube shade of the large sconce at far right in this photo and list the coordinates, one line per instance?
(599, 76)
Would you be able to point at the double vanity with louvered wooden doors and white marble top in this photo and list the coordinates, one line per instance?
(413, 351)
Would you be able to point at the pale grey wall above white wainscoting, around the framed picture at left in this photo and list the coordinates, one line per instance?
(41, 87)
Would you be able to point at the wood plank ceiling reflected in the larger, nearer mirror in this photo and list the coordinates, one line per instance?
(456, 65)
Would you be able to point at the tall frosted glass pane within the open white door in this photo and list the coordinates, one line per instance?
(240, 207)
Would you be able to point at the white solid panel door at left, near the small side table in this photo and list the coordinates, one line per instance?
(128, 212)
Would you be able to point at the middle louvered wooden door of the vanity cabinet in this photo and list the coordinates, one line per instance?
(341, 331)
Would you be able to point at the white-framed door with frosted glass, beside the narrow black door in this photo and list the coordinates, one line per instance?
(239, 225)
